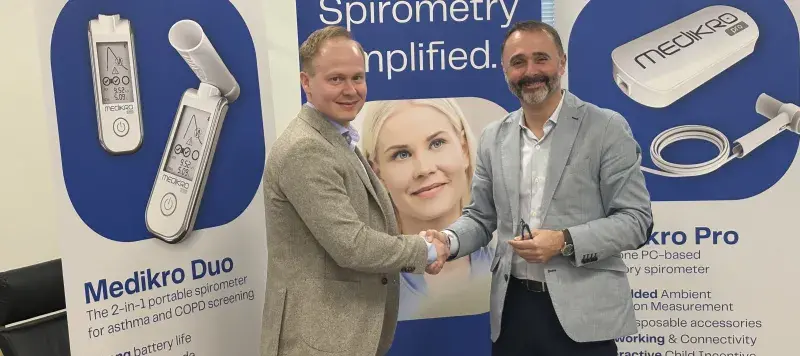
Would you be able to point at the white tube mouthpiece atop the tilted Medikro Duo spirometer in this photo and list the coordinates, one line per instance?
(188, 38)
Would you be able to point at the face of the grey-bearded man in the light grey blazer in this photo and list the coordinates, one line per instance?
(533, 66)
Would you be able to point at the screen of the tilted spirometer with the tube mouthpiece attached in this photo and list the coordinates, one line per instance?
(188, 143)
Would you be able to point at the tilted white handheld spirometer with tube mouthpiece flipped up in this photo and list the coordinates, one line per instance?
(182, 174)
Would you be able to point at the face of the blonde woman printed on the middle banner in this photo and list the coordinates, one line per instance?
(422, 161)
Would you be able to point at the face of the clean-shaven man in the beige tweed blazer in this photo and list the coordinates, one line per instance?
(336, 85)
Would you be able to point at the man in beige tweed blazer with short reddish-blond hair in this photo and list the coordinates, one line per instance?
(334, 249)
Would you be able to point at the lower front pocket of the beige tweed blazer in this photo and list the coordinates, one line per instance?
(329, 312)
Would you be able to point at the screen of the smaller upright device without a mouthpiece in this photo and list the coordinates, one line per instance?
(115, 72)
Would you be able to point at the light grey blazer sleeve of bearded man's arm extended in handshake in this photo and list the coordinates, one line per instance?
(478, 220)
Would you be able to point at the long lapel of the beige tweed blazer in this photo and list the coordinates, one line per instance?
(314, 118)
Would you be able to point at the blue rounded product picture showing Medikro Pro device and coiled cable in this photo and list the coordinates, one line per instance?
(709, 89)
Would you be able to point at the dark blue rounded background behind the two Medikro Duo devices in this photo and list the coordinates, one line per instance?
(110, 193)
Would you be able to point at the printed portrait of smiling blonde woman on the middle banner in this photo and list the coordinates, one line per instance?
(425, 159)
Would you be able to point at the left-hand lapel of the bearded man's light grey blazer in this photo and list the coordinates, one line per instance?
(510, 158)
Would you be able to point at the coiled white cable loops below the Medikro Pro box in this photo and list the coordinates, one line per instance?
(688, 132)
